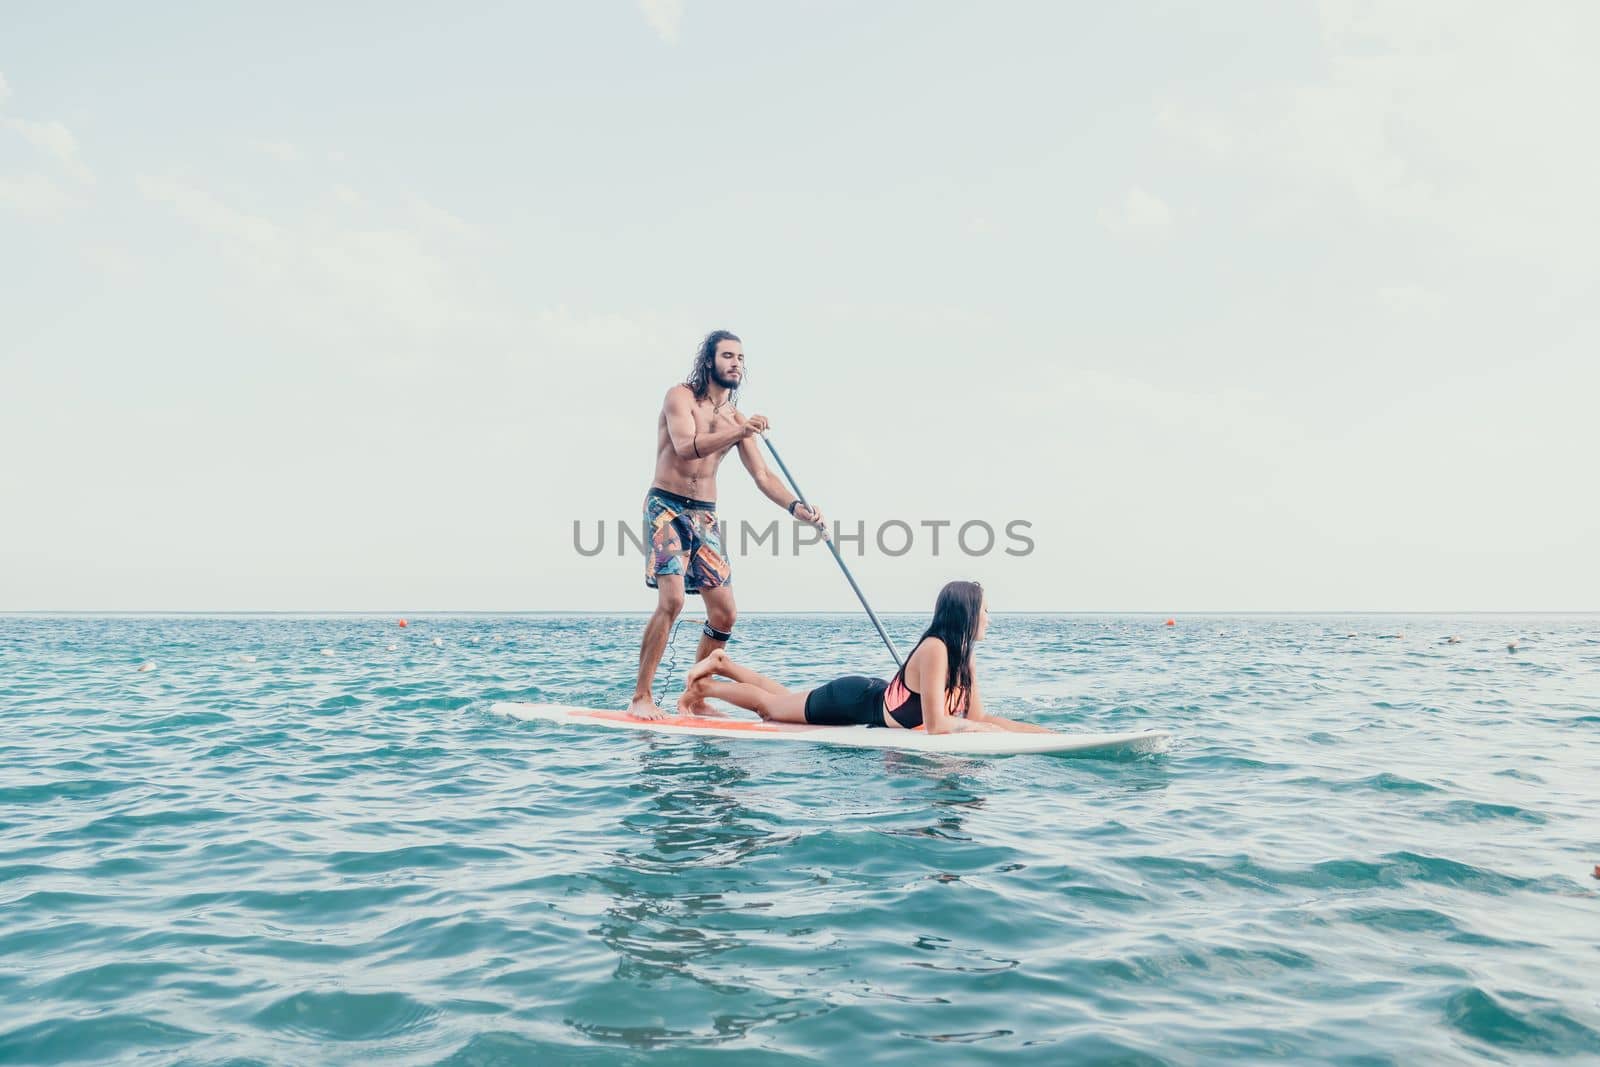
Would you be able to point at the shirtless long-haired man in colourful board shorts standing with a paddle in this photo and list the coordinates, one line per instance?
(698, 428)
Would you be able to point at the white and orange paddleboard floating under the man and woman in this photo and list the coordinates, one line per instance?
(857, 737)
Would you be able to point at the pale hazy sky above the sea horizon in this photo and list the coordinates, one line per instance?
(1258, 306)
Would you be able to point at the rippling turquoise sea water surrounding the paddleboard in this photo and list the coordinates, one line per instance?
(1362, 849)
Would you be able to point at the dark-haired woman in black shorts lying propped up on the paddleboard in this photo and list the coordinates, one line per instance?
(940, 665)
